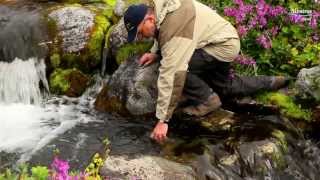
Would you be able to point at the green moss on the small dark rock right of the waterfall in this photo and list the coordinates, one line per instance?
(58, 81)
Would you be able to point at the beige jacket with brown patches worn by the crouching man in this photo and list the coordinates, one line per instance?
(186, 25)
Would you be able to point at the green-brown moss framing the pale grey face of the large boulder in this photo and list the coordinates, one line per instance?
(90, 56)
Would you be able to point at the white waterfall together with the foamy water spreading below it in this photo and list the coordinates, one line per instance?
(25, 128)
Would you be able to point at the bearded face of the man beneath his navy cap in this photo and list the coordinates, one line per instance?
(147, 28)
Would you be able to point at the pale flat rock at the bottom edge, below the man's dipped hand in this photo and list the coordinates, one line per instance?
(146, 167)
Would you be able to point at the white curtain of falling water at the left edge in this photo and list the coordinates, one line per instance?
(20, 81)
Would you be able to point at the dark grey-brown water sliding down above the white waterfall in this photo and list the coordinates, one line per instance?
(22, 33)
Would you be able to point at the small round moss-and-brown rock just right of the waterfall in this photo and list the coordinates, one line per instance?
(70, 82)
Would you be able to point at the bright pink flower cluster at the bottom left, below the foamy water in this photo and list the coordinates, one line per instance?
(61, 168)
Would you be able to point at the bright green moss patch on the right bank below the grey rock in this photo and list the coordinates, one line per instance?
(286, 105)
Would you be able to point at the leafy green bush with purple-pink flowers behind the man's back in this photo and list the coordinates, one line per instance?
(279, 40)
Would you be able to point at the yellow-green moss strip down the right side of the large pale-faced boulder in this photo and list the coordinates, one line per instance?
(96, 41)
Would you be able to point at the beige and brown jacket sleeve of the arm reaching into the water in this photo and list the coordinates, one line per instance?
(176, 54)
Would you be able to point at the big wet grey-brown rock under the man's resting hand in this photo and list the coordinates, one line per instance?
(131, 89)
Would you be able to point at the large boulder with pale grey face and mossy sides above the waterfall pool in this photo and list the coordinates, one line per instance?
(77, 34)
